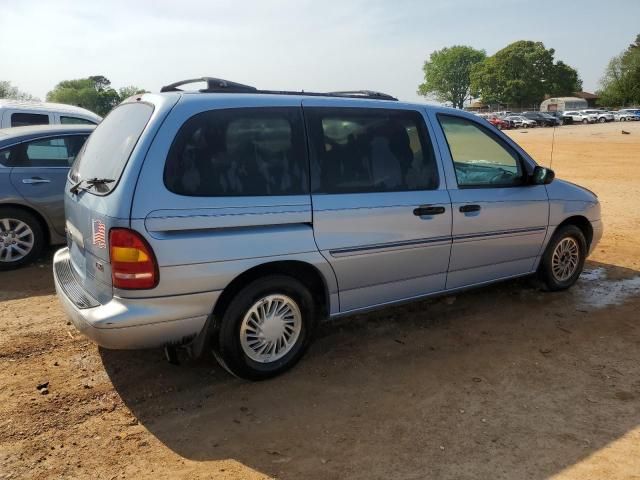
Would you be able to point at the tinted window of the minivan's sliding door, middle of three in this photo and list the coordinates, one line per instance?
(358, 150)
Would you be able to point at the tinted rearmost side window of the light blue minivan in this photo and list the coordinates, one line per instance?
(239, 152)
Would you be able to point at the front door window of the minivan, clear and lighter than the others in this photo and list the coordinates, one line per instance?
(480, 160)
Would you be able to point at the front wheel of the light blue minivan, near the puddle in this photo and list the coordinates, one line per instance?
(572, 237)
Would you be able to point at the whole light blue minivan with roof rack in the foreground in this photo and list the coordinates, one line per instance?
(235, 219)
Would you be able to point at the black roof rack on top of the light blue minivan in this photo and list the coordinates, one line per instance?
(218, 85)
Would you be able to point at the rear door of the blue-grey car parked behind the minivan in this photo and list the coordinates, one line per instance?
(40, 173)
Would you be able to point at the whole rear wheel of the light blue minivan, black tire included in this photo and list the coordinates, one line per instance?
(232, 340)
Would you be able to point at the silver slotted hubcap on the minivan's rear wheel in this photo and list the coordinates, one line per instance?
(270, 328)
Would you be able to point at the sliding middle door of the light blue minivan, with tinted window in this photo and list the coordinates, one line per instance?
(381, 211)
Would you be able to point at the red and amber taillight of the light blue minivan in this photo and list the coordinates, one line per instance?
(133, 264)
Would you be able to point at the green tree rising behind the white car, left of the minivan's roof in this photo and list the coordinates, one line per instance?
(94, 93)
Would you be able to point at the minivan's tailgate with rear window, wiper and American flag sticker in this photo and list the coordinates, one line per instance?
(94, 209)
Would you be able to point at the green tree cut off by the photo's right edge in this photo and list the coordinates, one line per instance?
(620, 85)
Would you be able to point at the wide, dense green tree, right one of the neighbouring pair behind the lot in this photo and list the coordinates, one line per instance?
(521, 74)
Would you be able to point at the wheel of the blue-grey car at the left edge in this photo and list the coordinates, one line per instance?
(19, 229)
